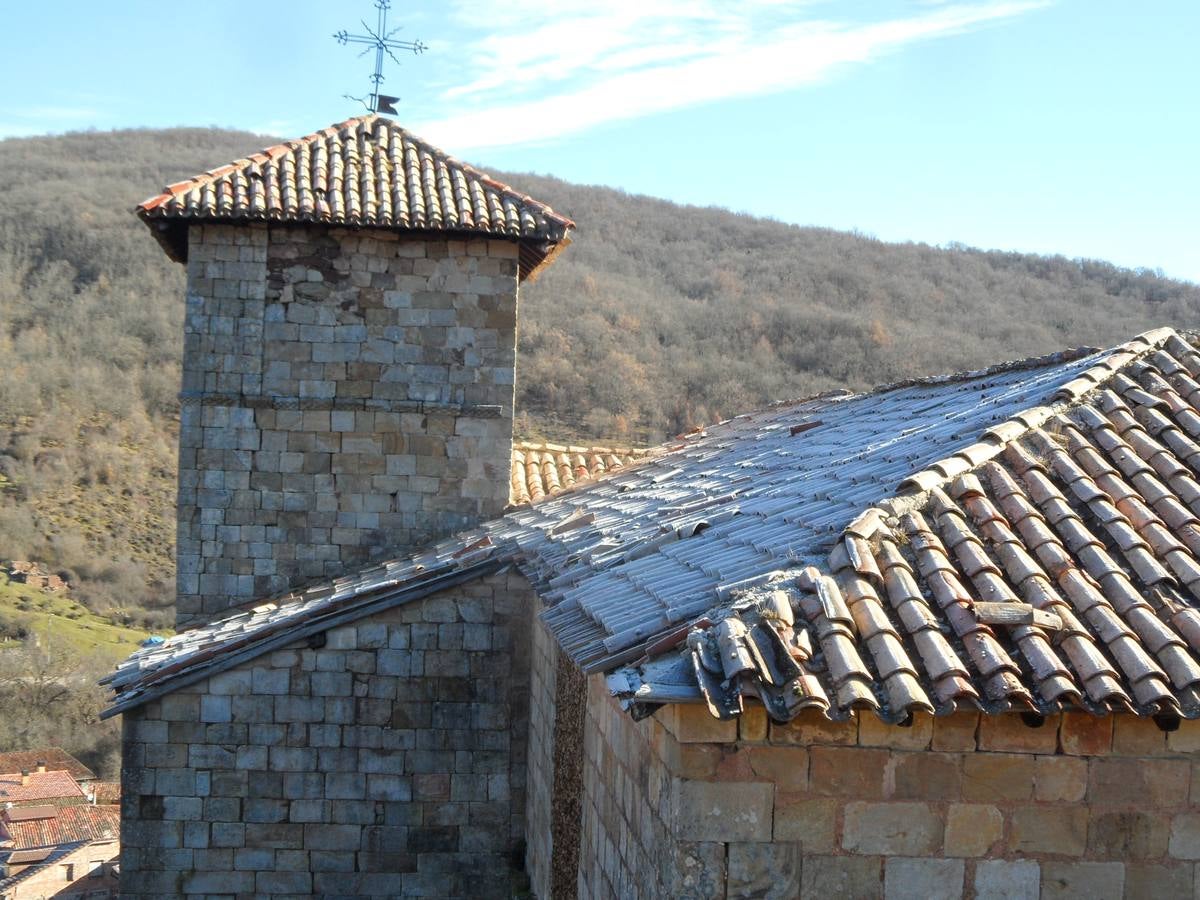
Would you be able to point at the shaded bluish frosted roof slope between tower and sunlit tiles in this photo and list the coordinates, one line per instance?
(758, 494)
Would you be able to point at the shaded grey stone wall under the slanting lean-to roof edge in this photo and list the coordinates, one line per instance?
(388, 761)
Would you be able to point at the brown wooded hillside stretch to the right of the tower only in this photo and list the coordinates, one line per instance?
(668, 316)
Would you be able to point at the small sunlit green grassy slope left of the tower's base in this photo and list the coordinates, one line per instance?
(58, 622)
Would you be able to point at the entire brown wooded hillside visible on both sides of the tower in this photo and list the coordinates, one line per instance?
(658, 319)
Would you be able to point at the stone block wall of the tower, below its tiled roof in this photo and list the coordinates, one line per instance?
(347, 395)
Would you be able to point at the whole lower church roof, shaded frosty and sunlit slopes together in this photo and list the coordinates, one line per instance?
(1069, 485)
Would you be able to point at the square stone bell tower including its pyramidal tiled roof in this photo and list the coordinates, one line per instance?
(349, 359)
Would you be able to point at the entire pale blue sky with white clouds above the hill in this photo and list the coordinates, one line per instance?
(1055, 127)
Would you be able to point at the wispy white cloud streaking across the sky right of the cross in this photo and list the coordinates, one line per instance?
(595, 64)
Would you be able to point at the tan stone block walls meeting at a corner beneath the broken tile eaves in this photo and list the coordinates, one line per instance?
(683, 806)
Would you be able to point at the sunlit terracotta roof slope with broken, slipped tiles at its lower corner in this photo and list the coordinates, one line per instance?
(1052, 566)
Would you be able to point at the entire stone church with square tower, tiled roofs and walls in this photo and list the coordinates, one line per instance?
(938, 640)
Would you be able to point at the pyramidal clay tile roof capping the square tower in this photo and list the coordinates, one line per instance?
(367, 172)
